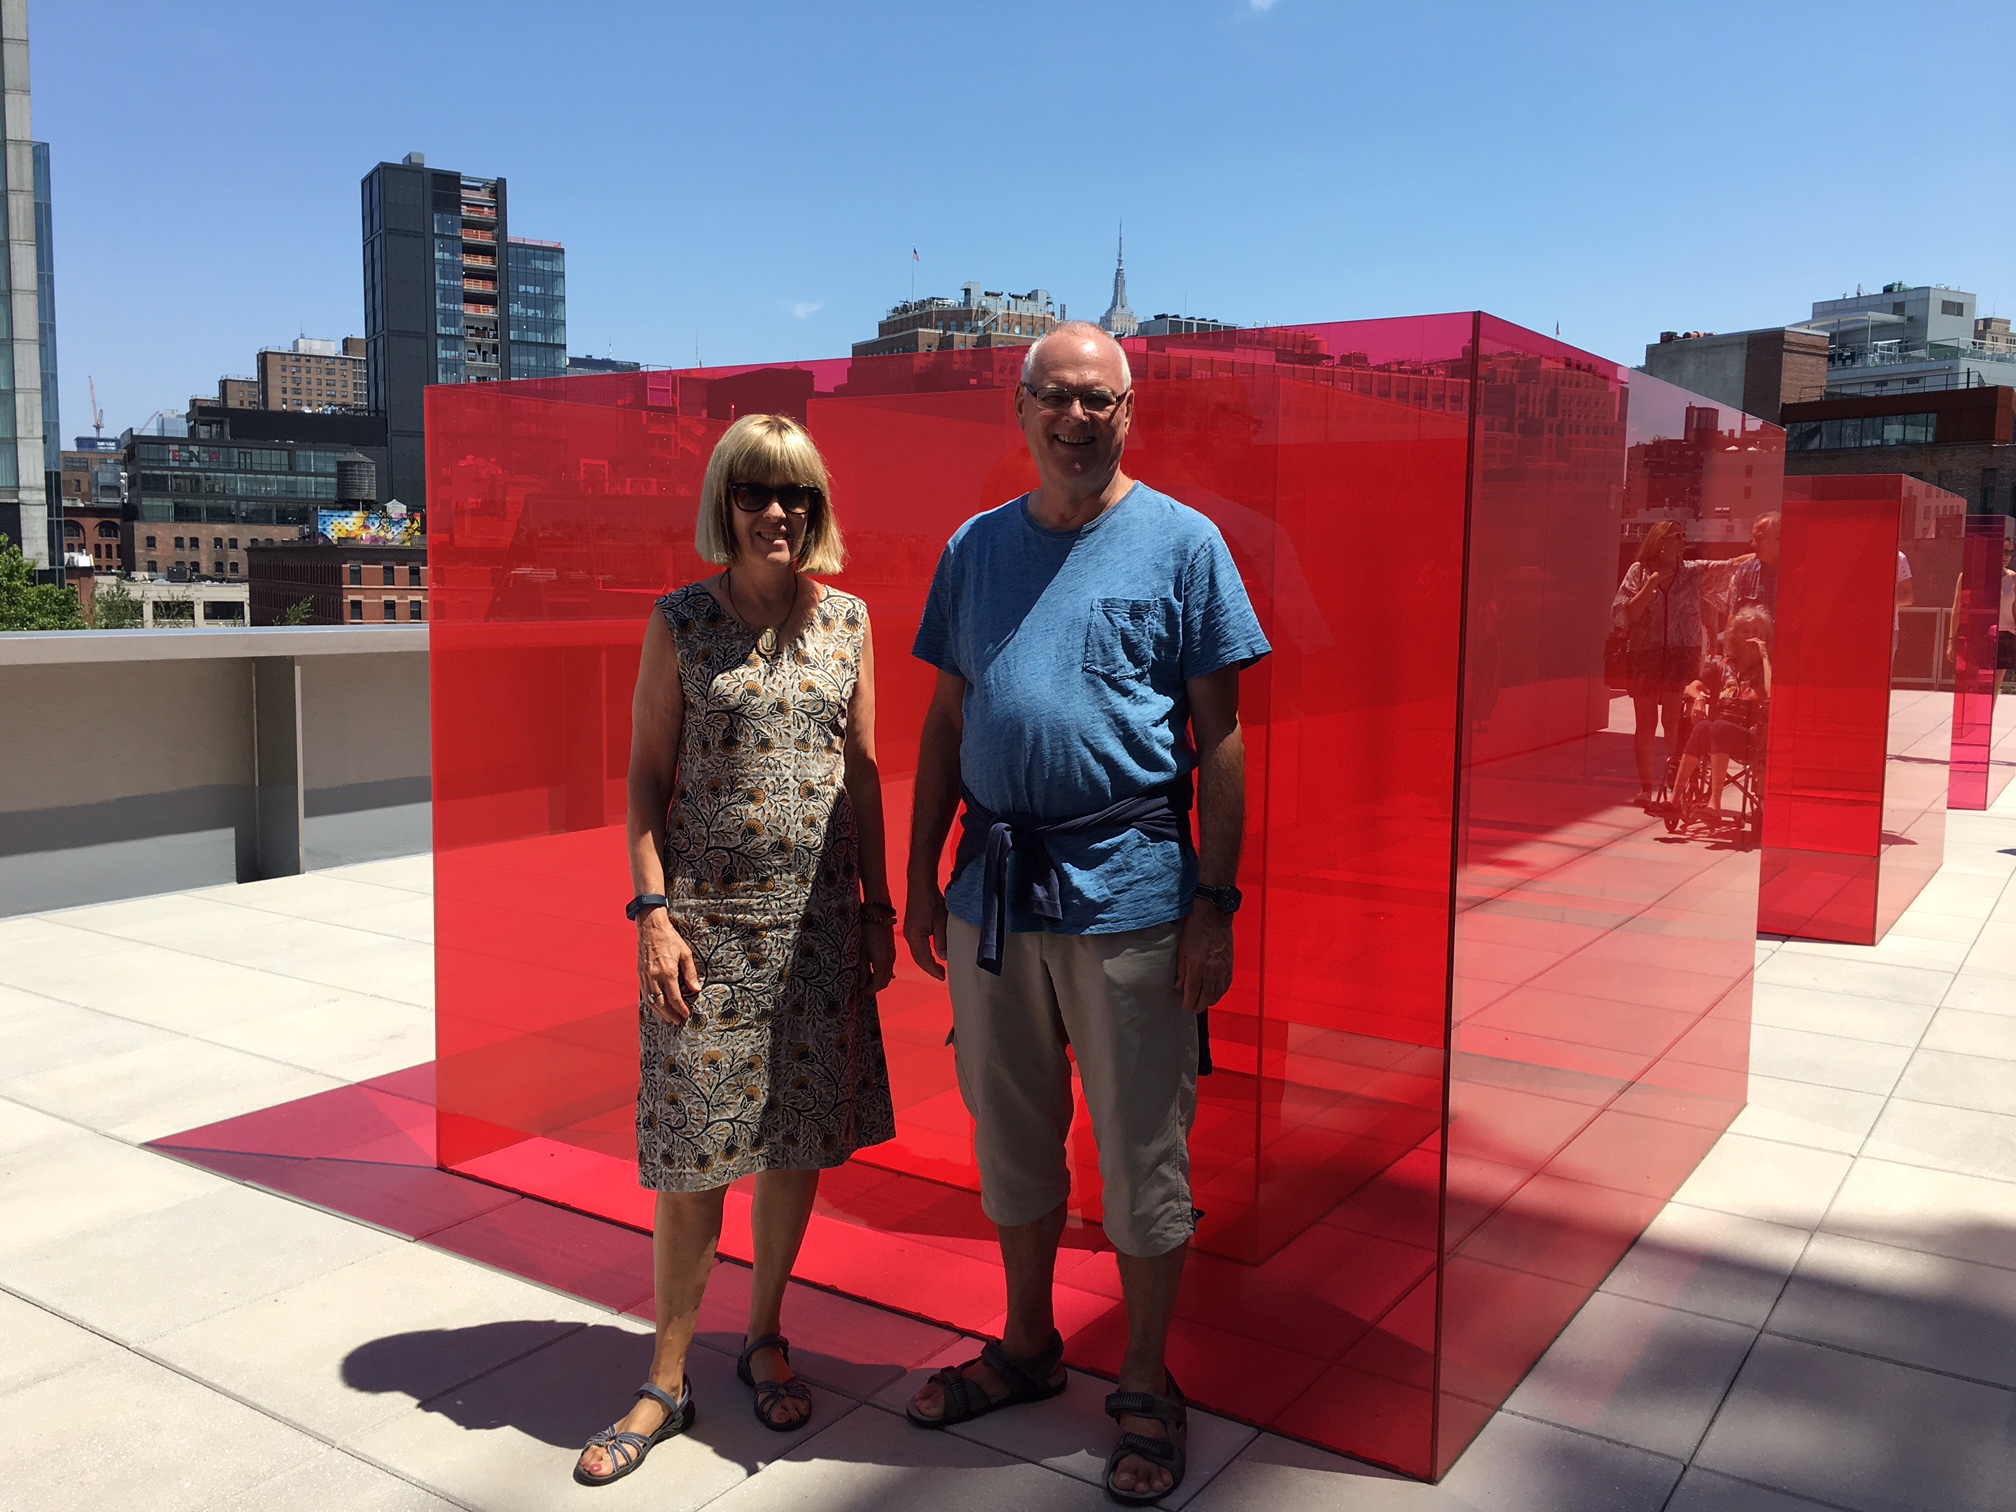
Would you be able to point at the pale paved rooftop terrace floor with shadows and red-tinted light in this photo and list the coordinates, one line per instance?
(1823, 1317)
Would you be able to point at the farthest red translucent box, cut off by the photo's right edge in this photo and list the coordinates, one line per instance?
(1985, 721)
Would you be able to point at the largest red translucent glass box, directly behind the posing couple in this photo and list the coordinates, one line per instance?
(1489, 1011)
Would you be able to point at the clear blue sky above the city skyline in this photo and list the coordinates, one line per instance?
(749, 180)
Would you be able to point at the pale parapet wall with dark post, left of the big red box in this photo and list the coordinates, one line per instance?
(154, 761)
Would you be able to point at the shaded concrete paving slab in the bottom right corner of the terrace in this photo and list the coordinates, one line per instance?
(1864, 1434)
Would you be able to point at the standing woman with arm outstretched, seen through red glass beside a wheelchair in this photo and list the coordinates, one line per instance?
(1660, 610)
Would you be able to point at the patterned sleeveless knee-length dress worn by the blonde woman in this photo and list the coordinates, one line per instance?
(781, 1063)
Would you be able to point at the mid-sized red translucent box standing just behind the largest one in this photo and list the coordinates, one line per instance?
(1860, 725)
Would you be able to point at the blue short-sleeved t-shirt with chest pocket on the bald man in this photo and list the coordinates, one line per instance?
(1076, 648)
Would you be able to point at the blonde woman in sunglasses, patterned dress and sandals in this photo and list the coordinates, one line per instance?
(763, 910)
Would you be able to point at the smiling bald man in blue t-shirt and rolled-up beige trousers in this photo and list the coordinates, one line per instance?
(1088, 640)
